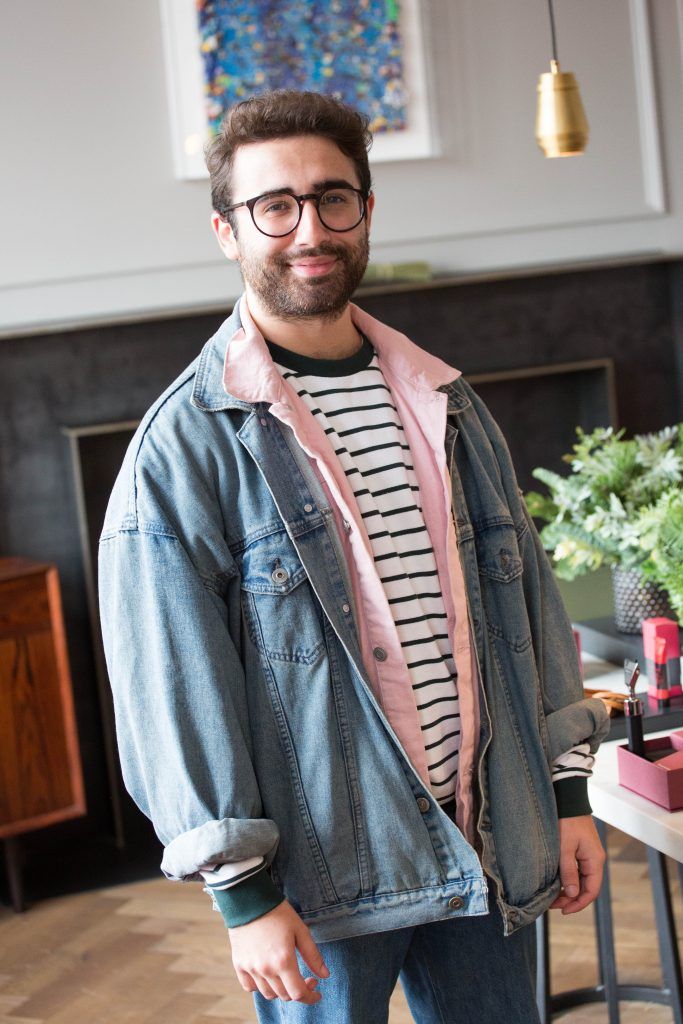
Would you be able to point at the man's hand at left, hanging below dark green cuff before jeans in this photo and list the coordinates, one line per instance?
(265, 957)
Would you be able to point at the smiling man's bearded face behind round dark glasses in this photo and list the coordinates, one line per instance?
(314, 272)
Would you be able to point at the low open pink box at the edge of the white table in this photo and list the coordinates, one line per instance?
(661, 781)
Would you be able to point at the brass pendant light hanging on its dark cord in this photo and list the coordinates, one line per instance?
(562, 129)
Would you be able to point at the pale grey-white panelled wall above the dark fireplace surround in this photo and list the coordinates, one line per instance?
(96, 226)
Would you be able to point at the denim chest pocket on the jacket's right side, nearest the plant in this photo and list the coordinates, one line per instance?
(501, 570)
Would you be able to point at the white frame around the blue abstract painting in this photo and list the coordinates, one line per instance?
(185, 75)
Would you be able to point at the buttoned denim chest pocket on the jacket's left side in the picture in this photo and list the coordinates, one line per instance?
(282, 613)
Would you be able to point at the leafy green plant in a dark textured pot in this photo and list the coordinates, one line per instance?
(622, 505)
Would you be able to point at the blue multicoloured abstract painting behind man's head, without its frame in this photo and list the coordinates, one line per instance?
(349, 49)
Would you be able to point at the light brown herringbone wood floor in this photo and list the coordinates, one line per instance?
(154, 953)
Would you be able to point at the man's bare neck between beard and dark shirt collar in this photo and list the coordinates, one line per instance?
(320, 339)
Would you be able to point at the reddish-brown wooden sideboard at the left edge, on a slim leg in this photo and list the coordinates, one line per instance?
(41, 779)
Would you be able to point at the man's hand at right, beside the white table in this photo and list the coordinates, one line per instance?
(582, 861)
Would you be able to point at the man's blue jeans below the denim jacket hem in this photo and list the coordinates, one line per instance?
(462, 971)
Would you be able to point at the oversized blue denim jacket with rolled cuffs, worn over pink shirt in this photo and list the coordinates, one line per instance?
(246, 721)
